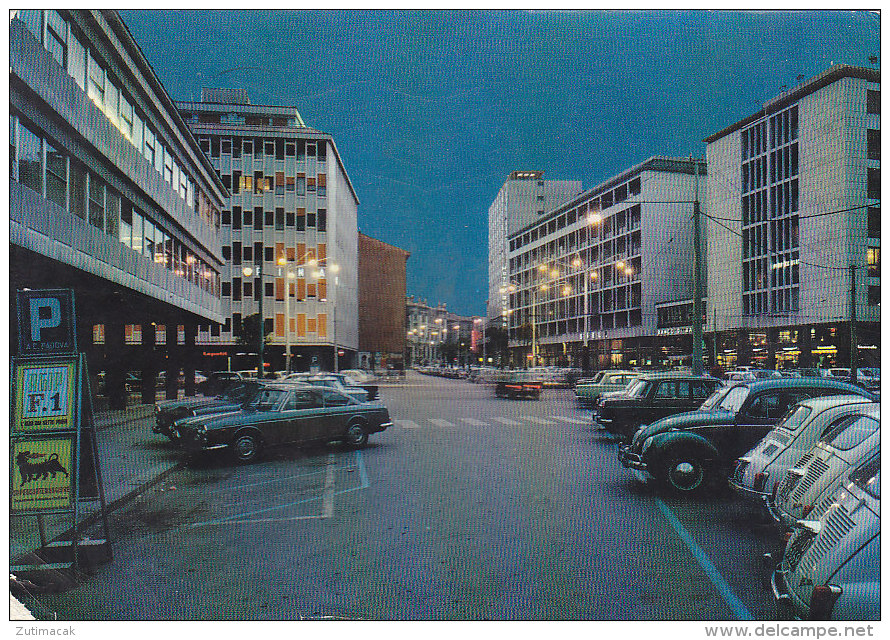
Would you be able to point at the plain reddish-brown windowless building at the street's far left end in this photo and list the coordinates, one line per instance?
(382, 281)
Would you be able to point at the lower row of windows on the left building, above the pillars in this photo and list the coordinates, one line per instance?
(39, 165)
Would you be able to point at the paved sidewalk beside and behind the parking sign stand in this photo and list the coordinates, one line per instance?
(131, 457)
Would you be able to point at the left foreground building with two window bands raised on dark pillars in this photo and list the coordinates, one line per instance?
(110, 196)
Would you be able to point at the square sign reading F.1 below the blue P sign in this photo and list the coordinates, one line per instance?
(44, 396)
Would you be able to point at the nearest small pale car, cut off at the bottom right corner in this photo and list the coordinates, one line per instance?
(831, 568)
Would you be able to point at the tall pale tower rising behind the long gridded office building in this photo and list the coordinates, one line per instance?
(523, 198)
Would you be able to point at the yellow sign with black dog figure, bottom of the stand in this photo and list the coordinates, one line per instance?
(42, 474)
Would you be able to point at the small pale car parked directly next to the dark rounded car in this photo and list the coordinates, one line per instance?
(758, 473)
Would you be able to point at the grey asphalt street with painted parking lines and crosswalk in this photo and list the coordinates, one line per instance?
(469, 508)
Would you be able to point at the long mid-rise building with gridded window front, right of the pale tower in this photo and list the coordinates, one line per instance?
(585, 279)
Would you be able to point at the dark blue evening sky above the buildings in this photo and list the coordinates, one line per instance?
(432, 110)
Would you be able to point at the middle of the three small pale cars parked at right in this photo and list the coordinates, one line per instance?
(852, 440)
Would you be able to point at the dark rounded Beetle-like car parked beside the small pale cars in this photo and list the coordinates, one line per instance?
(690, 450)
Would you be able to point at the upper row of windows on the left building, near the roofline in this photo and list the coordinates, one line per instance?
(104, 90)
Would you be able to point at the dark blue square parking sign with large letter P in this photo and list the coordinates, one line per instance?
(46, 321)
